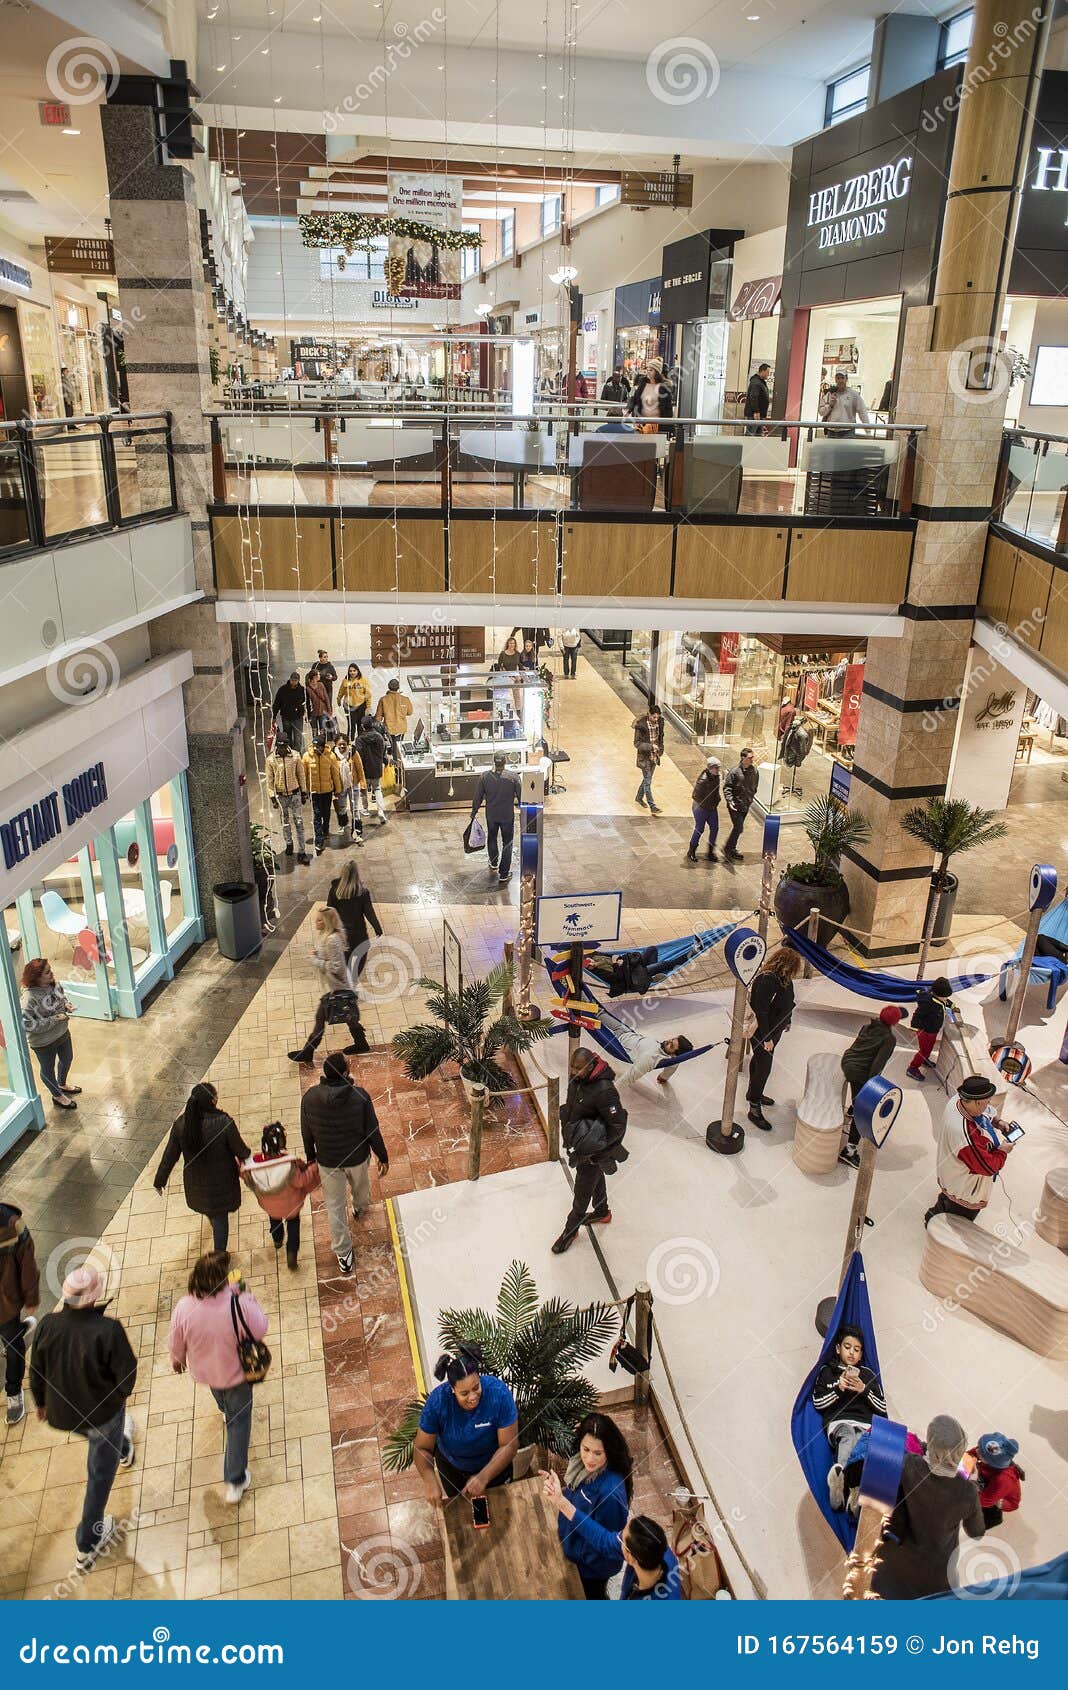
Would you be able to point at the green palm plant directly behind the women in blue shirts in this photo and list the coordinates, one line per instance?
(538, 1349)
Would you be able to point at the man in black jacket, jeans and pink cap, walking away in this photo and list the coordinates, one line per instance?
(82, 1373)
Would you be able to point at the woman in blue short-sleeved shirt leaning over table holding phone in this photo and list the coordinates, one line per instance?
(469, 1431)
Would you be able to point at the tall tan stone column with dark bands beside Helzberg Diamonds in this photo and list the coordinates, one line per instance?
(954, 383)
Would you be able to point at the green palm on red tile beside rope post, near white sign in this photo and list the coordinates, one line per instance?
(466, 1035)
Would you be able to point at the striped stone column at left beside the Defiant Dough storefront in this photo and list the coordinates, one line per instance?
(158, 258)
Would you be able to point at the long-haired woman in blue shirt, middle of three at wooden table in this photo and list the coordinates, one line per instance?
(597, 1486)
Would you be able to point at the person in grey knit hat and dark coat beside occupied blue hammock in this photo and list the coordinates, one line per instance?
(925, 1529)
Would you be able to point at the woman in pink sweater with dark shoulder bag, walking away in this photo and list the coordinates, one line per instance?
(204, 1338)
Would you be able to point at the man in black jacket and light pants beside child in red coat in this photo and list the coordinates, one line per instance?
(341, 1131)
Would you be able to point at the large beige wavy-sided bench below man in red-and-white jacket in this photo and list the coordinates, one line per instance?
(1025, 1297)
